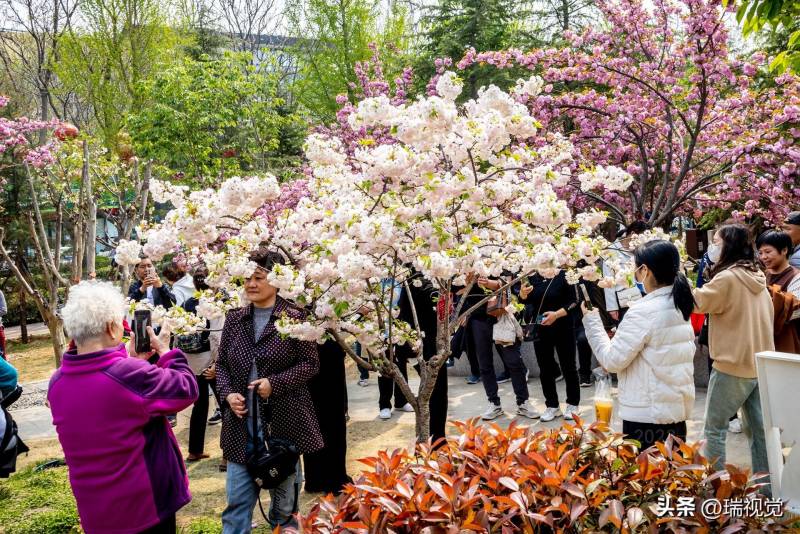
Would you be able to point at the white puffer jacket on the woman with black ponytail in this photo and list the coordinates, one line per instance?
(652, 354)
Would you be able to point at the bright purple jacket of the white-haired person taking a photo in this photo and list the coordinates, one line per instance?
(109, 409)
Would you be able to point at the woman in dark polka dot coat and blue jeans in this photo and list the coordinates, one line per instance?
(254, 357)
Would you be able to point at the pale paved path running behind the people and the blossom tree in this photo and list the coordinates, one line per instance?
(465, 401)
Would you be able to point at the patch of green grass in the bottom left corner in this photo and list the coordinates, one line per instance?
(38, 503)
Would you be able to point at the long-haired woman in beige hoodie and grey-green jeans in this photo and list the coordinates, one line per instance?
(740, 325)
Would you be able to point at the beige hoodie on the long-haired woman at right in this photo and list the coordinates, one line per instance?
(740, 319)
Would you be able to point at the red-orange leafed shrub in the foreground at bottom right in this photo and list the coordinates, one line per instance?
(571, 479)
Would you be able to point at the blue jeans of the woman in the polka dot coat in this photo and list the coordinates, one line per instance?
(242, 494)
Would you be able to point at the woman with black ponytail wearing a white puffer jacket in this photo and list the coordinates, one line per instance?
(653, 349)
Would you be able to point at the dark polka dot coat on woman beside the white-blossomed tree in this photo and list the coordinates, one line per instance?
(288, 363)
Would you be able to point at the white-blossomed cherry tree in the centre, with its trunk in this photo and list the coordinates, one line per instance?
(398, 190)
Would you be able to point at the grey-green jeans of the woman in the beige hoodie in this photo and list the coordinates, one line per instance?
(726, 394)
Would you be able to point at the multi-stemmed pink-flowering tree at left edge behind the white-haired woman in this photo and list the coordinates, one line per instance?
(63, 176)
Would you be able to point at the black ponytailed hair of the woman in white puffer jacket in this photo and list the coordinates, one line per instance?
(664, 261)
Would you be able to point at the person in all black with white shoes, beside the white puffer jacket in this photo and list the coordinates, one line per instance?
(549, 304)
